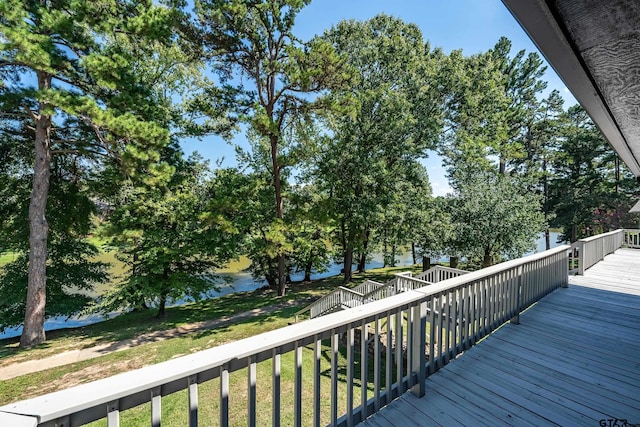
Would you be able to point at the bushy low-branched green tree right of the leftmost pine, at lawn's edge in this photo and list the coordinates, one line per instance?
(170, 240)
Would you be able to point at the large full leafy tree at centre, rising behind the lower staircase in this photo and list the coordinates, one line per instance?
(399, 115)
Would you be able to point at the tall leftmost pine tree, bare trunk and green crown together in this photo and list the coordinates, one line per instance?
(67, 68)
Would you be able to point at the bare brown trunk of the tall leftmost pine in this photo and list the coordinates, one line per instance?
(33, 331)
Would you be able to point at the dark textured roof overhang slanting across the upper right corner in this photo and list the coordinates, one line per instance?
(594, 46)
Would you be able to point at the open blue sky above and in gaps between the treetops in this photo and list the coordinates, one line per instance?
(471, 25)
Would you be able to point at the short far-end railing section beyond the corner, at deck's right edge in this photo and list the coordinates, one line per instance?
(587, 252)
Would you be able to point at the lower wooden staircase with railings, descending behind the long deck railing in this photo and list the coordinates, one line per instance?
(368, 291)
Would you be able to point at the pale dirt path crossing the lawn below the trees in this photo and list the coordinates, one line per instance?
(72, 356)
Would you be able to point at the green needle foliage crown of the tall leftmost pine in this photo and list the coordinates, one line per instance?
(90, 50)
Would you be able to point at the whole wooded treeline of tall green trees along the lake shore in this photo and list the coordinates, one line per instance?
(96, 98)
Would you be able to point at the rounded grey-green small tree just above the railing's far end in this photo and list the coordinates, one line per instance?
(494, 215)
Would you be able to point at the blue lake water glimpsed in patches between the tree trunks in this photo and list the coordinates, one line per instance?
(242, 282)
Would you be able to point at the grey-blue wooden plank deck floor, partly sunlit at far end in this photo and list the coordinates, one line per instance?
(574, 359)
